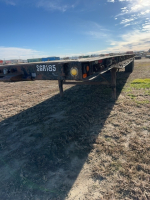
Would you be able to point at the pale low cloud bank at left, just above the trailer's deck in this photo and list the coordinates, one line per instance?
(18, 53)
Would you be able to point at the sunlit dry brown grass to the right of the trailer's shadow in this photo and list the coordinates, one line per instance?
(123, 154)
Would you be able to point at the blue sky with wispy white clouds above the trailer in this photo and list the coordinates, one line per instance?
(42, 28)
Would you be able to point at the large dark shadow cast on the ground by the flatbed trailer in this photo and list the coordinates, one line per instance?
(43, 149)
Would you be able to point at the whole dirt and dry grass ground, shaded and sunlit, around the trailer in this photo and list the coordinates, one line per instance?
(83, 146)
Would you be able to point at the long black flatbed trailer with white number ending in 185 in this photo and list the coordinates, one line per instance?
(81, 71)
